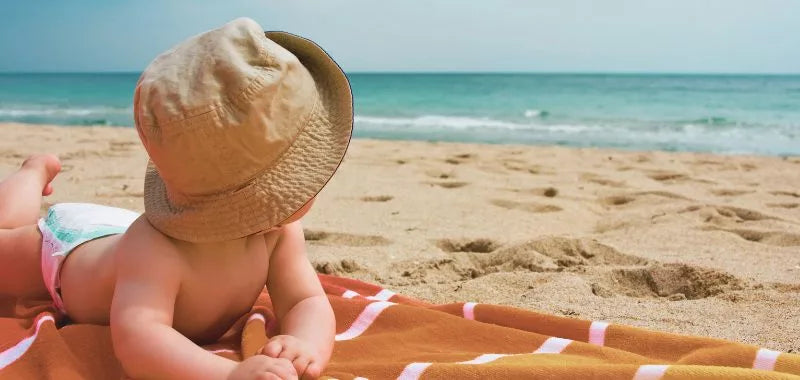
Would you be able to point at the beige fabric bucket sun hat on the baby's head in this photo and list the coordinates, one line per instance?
(242, 127)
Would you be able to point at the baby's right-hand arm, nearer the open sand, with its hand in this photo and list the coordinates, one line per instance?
(306, 318)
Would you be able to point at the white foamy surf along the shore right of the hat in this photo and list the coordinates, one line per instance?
(704, 135)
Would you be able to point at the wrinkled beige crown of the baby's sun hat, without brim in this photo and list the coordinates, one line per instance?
(220, 108)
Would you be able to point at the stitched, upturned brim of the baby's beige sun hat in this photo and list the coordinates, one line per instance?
(299, 175)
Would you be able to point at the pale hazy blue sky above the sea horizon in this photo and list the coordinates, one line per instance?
(675, 36)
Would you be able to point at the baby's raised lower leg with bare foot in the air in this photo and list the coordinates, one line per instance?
(21, 192)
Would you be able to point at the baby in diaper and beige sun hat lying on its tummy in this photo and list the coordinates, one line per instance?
(243, 129)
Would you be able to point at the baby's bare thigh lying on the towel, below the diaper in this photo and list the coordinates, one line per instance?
(20, 262)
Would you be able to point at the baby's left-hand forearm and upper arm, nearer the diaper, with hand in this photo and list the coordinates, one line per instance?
(148, 279)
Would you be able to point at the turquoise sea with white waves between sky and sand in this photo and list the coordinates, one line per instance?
(712, 113)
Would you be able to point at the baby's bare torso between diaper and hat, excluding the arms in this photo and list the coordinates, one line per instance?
(218, 282)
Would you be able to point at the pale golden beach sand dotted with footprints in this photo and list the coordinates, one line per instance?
(690, 243)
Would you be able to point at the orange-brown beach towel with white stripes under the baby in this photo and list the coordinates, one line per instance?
(383, 335)
